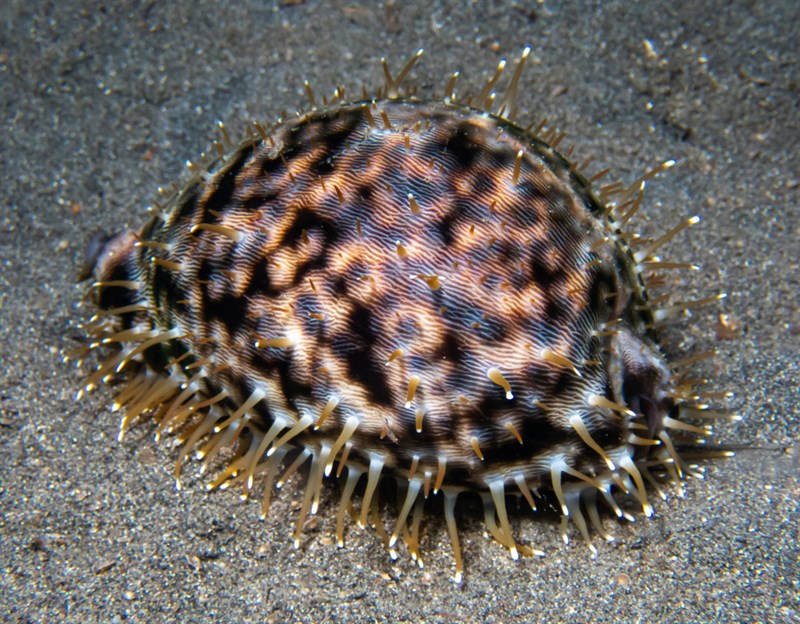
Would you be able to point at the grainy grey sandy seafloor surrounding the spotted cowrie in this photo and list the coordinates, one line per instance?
(103, 103)
